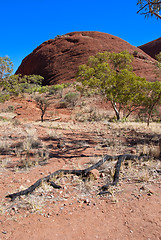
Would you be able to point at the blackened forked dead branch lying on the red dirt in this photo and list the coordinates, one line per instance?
(83, 173)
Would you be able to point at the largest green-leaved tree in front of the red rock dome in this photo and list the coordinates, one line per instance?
(110, 74)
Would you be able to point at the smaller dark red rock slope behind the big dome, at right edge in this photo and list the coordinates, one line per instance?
(152, 48)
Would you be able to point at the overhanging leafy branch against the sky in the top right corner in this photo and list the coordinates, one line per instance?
(150, 8)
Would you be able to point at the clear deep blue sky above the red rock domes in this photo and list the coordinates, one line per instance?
(27, 24)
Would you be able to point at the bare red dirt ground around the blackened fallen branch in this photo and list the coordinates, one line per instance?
(132, 211)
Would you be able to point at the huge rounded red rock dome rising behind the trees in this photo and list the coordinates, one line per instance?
(57, 60)
